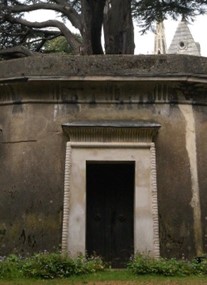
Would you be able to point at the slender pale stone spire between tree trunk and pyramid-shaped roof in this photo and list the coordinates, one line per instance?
(160, 41)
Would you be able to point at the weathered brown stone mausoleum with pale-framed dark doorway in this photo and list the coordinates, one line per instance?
(104, 154)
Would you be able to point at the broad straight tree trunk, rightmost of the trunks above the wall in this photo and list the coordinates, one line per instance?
(118, 27)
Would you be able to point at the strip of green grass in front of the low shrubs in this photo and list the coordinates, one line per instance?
(112, 277)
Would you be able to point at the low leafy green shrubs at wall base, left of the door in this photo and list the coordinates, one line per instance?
(48, 266)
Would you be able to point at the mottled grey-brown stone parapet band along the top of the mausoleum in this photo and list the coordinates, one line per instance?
(54, 66)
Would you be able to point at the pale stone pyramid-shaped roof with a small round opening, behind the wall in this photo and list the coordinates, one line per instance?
(183, 42)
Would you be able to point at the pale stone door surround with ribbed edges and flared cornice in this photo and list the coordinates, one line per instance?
(108, 142)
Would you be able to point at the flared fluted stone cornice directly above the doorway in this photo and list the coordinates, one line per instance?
(111, 131)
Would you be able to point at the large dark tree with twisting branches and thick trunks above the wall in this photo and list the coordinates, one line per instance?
(89, 17)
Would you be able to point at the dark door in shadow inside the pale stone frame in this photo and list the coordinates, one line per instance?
(110, 199)
